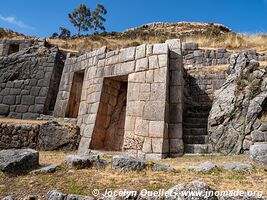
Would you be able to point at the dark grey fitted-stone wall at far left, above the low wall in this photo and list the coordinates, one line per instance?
(29, 82)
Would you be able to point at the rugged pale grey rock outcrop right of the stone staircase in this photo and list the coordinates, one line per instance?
(238, 107)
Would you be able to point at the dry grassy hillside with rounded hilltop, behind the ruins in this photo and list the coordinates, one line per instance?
(208, 35)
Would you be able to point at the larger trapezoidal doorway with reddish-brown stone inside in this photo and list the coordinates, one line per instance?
(109, 127)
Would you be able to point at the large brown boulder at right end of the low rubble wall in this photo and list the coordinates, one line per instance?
(54, 136)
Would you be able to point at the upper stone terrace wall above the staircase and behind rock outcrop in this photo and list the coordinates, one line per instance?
(193, 56)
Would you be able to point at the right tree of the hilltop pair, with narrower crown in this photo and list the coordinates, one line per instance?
(98, 18)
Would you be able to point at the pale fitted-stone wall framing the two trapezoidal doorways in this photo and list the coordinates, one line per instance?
(147, 105)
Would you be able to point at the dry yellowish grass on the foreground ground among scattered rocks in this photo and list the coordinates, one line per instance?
(85, 180)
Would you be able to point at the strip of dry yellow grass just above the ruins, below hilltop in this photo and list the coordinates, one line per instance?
(233, 42)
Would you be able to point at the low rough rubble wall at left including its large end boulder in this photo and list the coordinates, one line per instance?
(41, 136)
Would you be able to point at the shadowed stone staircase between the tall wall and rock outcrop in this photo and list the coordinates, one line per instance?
(195, 135)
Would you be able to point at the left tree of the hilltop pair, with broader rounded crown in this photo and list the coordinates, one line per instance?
(81, 18)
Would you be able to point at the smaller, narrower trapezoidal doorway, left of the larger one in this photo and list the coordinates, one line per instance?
(75, 95)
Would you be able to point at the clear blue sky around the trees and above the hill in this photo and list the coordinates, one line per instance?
(42, 18)
